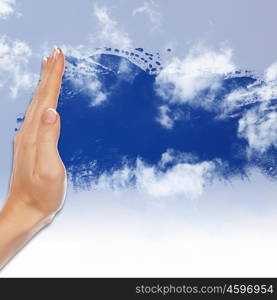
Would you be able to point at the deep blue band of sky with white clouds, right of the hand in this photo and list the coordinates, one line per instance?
(177, 115)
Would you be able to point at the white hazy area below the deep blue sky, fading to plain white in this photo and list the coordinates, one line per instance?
(229, 231)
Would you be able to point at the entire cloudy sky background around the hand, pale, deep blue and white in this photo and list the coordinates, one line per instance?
(173, 198)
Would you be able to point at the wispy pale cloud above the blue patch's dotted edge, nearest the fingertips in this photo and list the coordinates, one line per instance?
(110, 33)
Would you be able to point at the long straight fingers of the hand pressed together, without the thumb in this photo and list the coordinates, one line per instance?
(47, 93)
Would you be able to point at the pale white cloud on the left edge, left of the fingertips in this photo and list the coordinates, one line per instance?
(14, 59)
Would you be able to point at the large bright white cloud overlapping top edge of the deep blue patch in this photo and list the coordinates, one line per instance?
(182, 80)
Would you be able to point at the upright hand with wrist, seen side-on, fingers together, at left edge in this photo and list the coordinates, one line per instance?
(38, 181)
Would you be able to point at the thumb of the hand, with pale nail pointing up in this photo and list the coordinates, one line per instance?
(48, 160)
